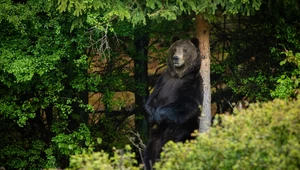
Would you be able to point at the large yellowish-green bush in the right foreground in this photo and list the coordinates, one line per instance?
(265, 136)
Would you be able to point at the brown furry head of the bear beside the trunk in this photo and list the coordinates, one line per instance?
(183, 57)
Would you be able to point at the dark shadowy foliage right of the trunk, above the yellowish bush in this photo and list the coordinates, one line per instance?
(256, 52)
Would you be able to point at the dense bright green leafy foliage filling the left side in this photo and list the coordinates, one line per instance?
(43, 84)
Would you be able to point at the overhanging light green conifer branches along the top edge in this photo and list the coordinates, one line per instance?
(138, 12)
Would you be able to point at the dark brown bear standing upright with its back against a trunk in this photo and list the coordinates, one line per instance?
(174, 105)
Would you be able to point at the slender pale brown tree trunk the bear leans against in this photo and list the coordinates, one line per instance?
(203, 36)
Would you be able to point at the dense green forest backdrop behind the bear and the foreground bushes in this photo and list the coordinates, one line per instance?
(75, 74)
